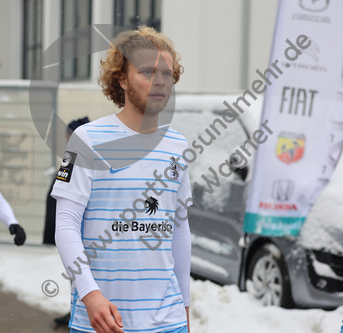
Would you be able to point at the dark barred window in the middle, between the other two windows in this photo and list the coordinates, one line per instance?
(75, 14)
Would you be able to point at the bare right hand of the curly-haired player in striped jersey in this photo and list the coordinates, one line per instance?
(103, 315)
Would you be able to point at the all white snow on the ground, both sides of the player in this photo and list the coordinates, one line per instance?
(213, 308)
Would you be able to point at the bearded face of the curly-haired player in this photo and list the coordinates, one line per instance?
(149, 80)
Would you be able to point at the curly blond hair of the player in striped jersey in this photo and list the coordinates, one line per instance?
(116, 61)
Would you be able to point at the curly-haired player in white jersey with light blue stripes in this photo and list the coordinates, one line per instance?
(128, 286)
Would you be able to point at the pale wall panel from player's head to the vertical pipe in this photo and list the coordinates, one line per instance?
(208, 36)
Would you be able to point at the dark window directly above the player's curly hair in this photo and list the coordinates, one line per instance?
(132, 13)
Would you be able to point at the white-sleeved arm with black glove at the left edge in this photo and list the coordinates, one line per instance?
(7, 216)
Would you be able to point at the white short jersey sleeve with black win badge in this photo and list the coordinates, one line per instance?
(75, 176)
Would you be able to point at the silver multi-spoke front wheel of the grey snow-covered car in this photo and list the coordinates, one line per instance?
(268, 279)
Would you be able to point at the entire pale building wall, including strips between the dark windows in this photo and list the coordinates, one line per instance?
(210, 36)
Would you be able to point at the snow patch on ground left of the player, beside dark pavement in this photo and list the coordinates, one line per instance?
(23, 271)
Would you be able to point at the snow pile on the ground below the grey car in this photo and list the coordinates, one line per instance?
(227, 310)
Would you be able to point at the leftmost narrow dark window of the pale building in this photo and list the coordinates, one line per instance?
(32, 40)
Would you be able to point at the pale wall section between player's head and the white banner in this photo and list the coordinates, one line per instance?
(210, 37)
